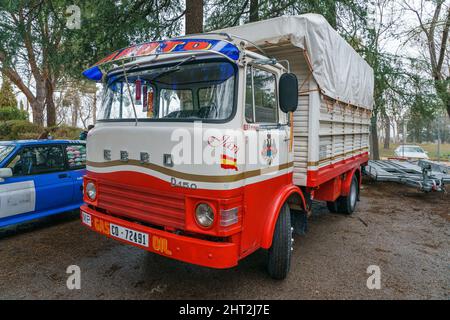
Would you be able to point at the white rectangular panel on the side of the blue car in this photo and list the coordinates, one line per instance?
(17, 198)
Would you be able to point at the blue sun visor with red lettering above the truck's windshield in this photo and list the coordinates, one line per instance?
(164, 47)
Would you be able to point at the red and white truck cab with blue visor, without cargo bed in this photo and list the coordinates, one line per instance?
(193, 155)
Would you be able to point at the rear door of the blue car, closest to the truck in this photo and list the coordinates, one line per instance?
(76, 165)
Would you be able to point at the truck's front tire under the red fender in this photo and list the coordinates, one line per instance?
(279, 261)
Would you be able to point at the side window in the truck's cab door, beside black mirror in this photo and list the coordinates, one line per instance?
(261, 102)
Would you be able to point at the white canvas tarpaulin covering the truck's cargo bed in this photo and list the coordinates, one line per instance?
(340, 72)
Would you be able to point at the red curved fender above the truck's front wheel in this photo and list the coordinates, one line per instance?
(269, 228)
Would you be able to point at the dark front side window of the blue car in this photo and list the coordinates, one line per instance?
(37, 160)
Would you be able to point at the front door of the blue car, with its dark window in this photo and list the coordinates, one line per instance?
(44, 167)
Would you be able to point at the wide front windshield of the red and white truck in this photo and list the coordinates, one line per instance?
(202, 91)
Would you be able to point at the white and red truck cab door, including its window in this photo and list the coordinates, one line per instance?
(266, 152)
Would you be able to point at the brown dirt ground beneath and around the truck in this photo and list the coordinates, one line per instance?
(405, 233)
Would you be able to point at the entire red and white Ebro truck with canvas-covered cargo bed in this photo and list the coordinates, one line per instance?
(282, 106)
